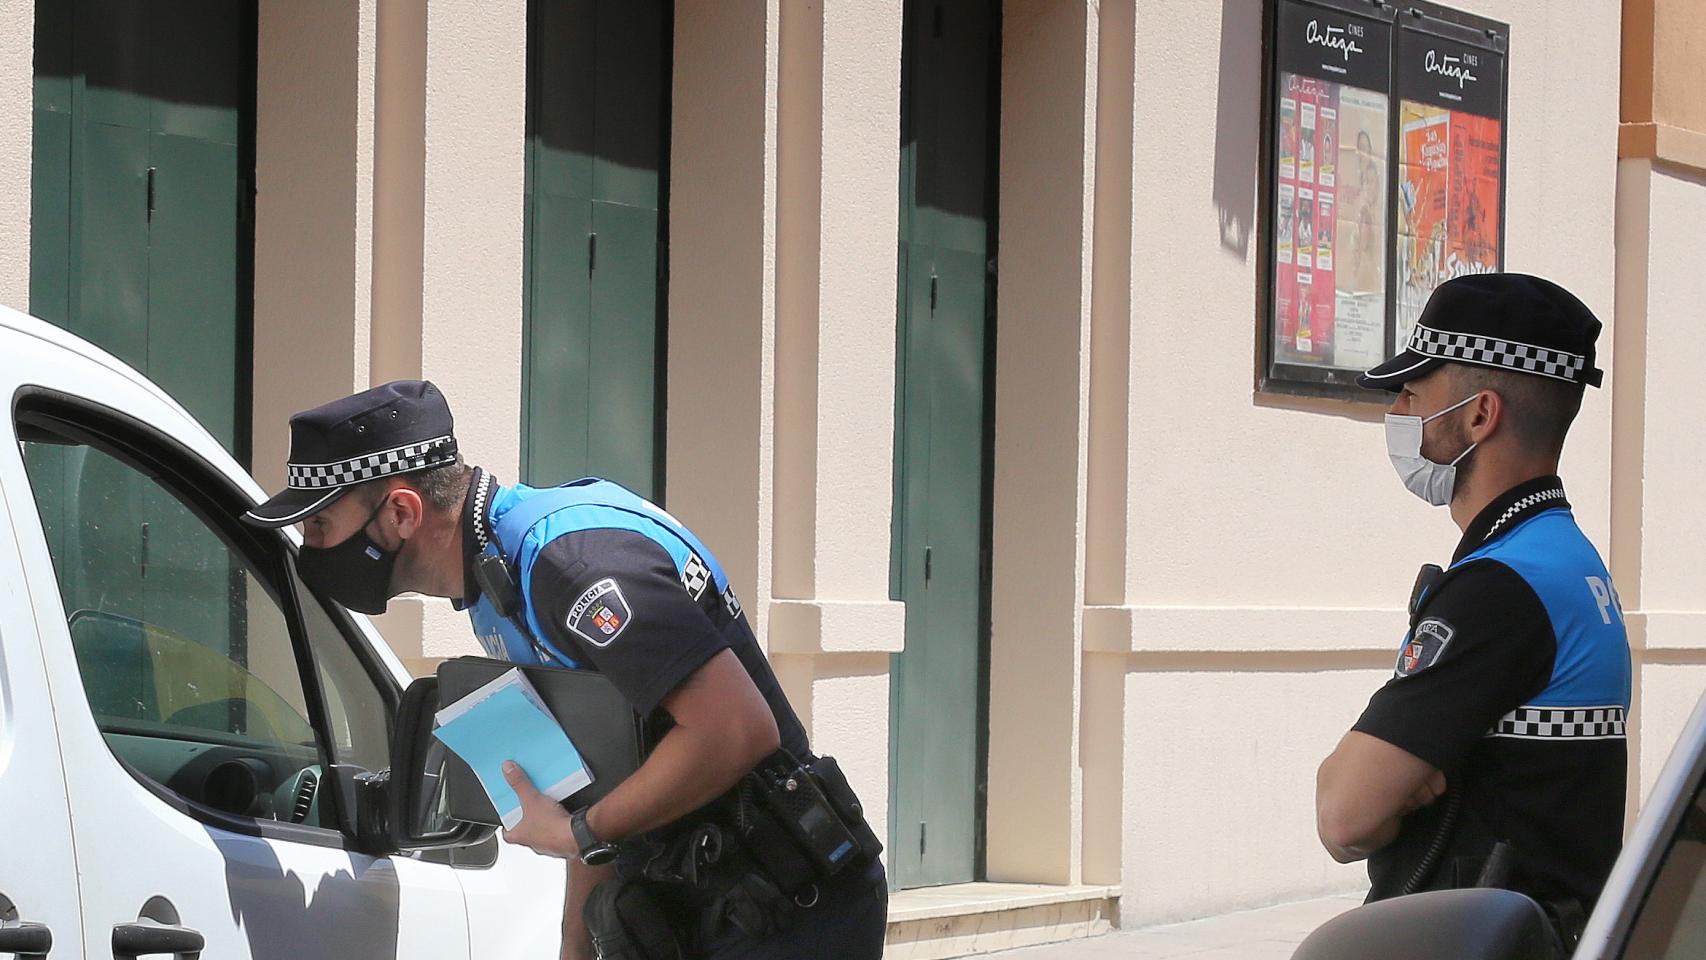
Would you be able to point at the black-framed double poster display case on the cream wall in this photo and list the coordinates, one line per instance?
(1383, 176)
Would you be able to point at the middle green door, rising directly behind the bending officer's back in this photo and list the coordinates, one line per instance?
(598, 120)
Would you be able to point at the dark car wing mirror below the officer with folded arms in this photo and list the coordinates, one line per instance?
(1442, 925)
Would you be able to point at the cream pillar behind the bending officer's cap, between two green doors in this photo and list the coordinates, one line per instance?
(470, 330)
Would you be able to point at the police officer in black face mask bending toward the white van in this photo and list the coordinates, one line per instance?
(606, 582)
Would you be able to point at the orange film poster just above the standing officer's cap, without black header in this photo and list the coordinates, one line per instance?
(1448, 202)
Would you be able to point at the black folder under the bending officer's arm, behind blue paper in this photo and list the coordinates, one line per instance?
(591, 710)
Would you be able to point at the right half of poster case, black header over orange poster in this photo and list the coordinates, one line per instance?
(1451, 178)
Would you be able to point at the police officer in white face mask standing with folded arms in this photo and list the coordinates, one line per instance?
(1495, 755)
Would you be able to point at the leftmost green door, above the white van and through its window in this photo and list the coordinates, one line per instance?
(141, 241)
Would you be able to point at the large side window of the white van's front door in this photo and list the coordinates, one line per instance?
(183, 645)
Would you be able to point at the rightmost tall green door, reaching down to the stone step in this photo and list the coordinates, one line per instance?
(939, 688)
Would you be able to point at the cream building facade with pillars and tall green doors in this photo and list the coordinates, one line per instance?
(937, 320)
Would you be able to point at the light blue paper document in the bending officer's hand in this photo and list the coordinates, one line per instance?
(506, 720)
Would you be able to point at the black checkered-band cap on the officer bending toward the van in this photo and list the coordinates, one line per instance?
(393, 429)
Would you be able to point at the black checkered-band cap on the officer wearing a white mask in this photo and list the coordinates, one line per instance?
(1509, 321)
